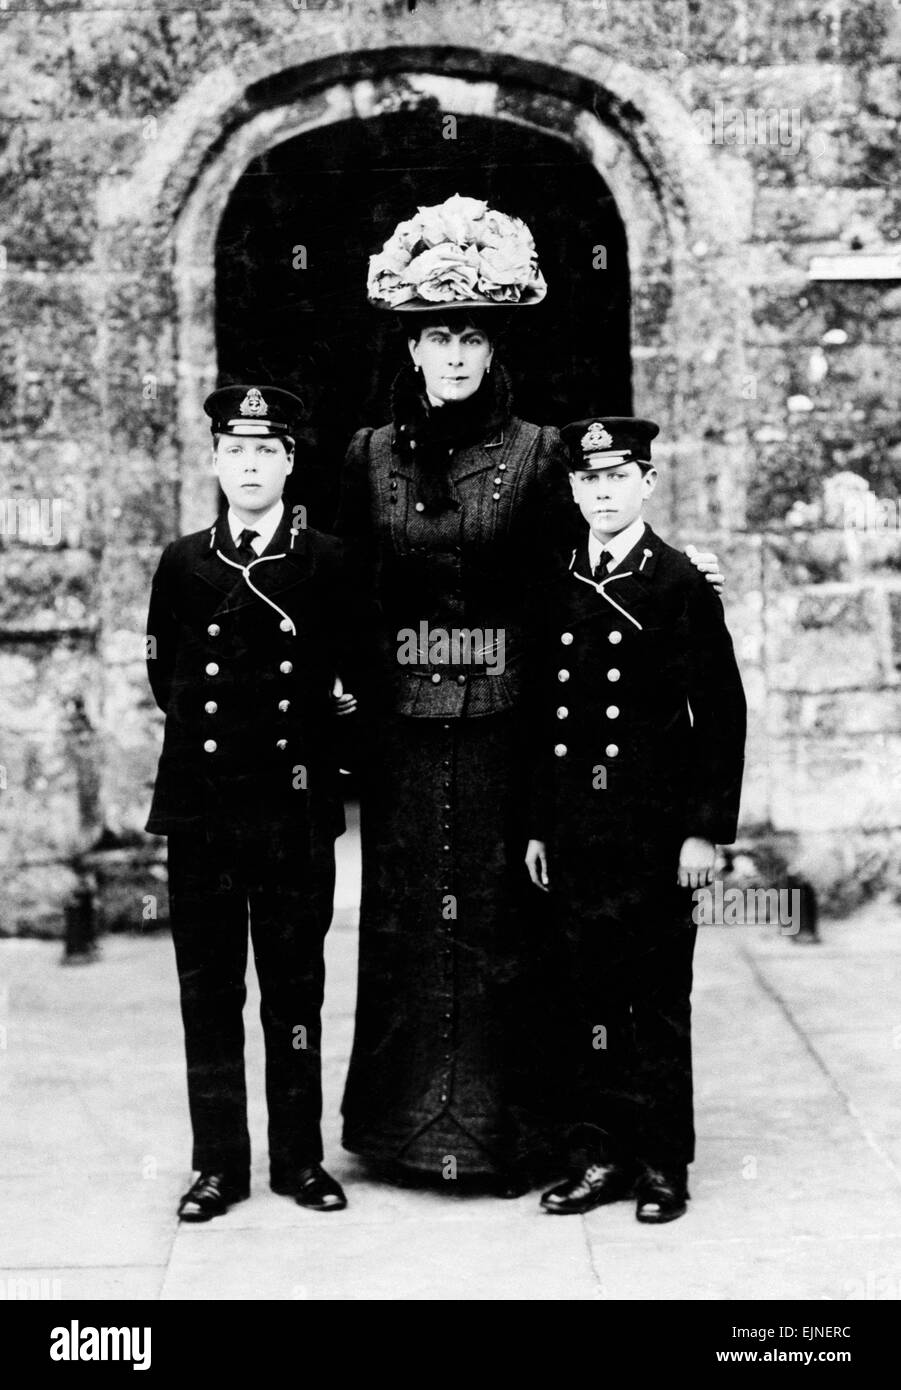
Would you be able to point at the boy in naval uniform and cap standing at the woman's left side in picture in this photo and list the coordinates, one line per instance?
(250, 625)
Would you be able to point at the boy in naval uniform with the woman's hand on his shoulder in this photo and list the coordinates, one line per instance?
(639, 775)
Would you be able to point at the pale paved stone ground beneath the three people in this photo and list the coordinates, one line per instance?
(797, 1189)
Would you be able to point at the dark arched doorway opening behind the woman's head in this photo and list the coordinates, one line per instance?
(339, 194)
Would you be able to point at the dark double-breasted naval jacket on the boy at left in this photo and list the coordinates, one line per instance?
(245, 682)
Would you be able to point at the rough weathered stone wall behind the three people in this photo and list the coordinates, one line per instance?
(771, 384)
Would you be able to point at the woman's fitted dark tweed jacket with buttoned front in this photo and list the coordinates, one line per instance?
(472, 566)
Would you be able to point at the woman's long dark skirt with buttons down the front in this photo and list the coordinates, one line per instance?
(446, 1072)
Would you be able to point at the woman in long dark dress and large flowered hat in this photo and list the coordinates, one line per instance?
(450, 509)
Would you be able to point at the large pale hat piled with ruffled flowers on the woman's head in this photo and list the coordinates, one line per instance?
(457, 255)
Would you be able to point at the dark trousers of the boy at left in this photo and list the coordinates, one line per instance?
(287, 896)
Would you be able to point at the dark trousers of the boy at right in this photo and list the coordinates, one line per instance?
(628, 1028)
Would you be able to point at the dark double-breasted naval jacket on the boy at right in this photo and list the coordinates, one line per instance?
(640, 712)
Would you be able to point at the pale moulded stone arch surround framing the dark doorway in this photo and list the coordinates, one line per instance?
(154, 300)
